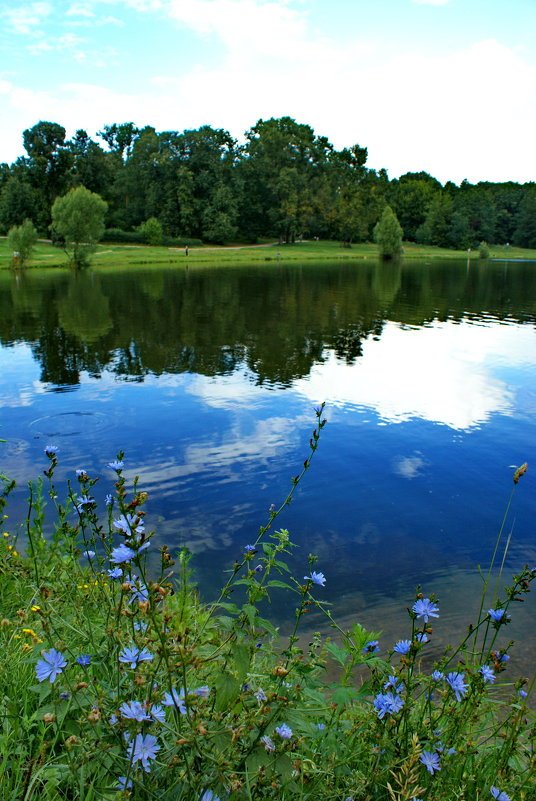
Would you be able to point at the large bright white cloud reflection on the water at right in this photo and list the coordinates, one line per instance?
(446, 373)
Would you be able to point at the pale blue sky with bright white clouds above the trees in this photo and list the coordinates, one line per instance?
(444, 86)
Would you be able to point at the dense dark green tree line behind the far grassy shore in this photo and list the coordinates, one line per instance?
(283, 182)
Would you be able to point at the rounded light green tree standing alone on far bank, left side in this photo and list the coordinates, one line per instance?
(78, 219)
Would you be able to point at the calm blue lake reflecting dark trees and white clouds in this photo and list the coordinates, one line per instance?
(208, 380)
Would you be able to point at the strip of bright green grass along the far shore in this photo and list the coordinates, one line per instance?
(109, 255)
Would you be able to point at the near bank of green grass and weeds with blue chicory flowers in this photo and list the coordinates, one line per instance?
(118, 682)
